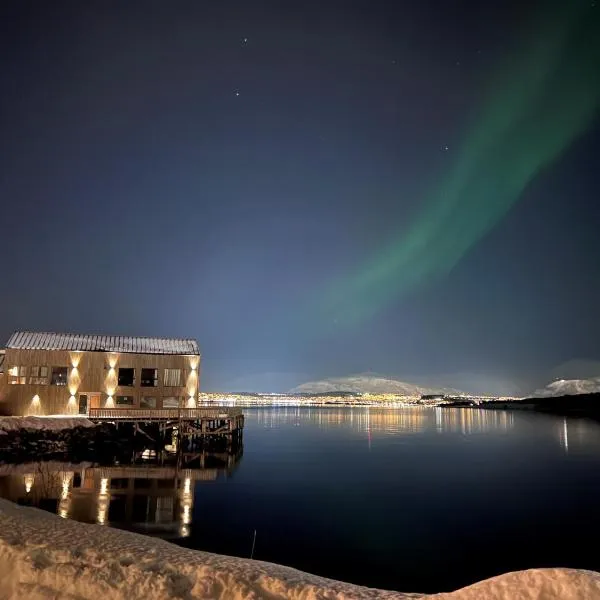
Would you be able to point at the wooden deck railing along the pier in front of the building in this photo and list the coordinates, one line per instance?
(161, 414)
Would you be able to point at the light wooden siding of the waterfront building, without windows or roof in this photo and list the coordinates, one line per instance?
(92, 375)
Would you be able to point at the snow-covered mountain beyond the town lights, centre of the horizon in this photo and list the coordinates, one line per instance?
(367, 384)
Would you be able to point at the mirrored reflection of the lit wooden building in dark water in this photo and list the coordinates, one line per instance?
(155, 499)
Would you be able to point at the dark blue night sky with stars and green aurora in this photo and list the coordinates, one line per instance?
(310, 189)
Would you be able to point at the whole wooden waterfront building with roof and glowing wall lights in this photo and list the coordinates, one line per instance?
(51, 374)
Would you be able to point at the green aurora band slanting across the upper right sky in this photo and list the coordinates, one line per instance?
(541, 97)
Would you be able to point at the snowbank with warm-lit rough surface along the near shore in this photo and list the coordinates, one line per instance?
(44, 556)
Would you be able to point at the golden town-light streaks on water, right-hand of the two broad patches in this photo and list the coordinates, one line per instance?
(472, 420)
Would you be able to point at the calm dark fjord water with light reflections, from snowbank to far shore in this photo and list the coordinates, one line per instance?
(416, 499)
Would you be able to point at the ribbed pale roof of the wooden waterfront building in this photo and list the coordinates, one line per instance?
(34, 340)
